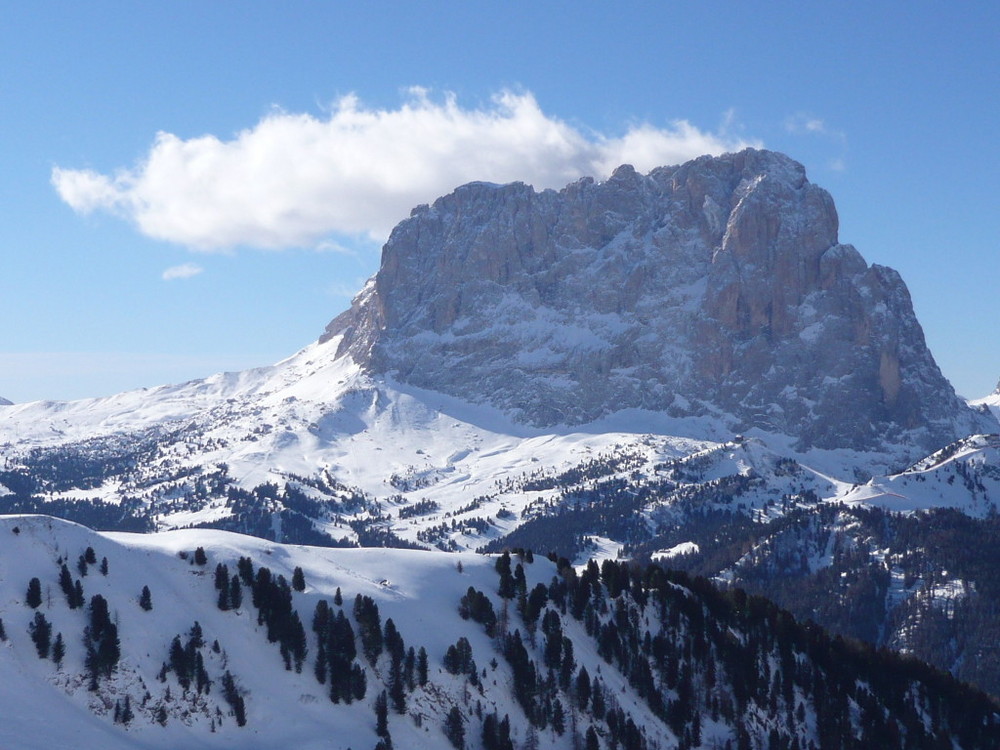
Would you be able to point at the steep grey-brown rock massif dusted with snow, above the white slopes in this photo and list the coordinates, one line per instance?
(717, 286)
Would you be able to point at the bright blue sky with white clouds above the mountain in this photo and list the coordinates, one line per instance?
(188, 187)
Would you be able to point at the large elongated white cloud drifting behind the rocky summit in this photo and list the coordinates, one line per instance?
(293, 180)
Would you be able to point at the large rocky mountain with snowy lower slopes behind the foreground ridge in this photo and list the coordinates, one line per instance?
(684, 366)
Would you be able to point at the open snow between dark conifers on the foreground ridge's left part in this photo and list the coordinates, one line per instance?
(419, 591)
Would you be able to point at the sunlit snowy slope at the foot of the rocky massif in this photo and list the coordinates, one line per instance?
(373, 450)
